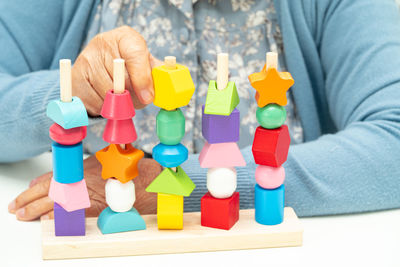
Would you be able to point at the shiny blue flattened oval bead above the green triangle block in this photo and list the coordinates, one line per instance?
(170, 156)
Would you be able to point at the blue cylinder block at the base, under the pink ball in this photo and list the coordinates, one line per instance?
(269, 204)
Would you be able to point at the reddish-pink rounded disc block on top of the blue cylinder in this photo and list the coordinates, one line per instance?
(67, 137)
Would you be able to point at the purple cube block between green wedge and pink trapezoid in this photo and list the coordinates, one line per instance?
(219, 128)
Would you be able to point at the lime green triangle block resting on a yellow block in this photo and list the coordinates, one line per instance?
(174, 183)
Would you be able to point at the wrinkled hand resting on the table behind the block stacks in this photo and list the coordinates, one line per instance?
(34, 202)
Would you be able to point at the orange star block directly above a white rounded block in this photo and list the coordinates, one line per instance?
(119, 163)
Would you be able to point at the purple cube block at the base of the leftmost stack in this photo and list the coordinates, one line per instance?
(68, 223)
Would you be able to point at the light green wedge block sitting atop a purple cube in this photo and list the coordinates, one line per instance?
(221, 102)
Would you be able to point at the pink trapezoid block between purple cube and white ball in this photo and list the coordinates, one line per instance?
(221, 155)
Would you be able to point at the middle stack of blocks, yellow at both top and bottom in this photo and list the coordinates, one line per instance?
(173, 88)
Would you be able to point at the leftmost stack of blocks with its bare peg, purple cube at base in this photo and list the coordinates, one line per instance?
(68, 187)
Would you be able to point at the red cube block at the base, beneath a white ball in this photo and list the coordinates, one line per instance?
(221, 213)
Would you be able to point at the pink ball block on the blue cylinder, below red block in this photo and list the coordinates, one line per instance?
(270, 177)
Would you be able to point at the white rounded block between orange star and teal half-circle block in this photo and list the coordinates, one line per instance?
(120, 197)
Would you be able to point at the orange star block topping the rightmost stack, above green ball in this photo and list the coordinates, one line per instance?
(271, 86)
